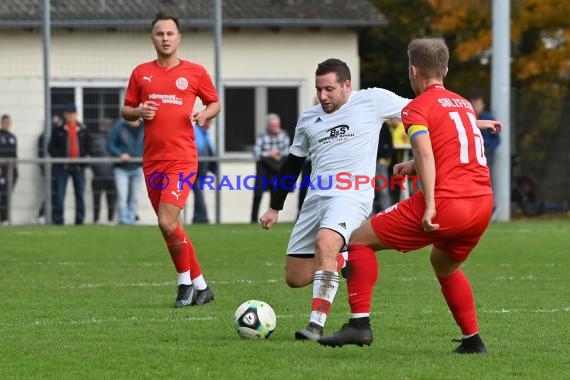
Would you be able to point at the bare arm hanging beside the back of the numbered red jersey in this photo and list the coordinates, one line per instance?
(425, 167)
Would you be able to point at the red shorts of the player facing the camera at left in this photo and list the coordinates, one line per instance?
(169, 181)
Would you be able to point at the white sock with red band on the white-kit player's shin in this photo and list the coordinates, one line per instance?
(325, 286)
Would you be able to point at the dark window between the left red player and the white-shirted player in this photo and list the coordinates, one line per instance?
(246, 108)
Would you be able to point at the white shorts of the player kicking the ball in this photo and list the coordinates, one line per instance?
(340, 214)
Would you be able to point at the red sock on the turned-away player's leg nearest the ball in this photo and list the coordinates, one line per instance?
(363, 273)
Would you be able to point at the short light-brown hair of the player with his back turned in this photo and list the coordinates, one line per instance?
(430, 55)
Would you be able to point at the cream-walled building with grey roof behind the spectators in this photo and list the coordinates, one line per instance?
(270, 50)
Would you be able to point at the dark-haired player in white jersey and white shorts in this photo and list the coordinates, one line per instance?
(341, 135)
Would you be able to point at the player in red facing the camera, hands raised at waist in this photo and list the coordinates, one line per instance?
(163, 93)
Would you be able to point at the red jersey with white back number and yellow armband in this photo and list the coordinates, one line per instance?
(460, 163)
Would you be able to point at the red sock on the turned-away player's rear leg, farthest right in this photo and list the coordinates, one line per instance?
(459, 297)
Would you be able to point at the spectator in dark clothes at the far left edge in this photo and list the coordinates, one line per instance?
(8, 172)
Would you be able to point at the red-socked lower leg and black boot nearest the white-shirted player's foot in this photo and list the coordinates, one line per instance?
(360, 283)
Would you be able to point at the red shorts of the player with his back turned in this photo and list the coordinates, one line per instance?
(462, 222)
